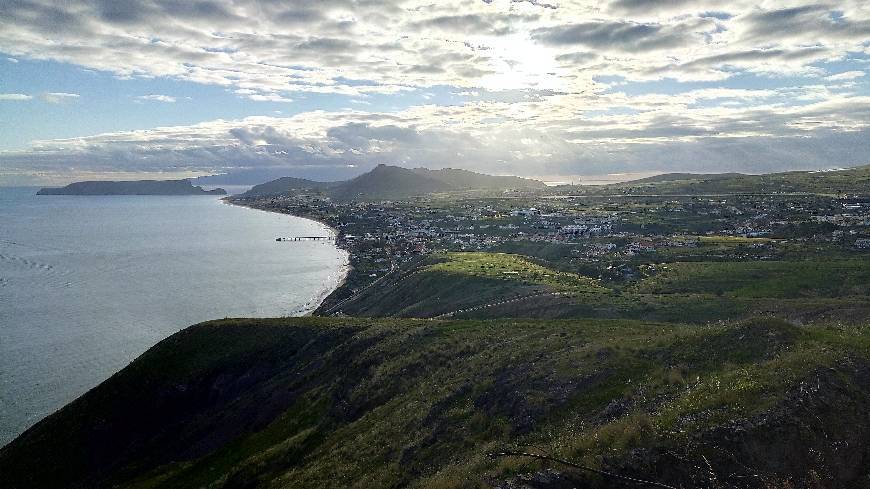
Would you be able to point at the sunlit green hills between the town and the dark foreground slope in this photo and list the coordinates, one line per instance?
(697, 291)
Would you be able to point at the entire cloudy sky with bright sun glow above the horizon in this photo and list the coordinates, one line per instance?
(118, 89)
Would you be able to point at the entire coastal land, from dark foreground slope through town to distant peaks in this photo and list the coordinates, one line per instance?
(695, 331)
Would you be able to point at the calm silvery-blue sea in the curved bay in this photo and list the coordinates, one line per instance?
(89, 283)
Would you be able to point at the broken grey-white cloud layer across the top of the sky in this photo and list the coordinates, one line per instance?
(352, 48)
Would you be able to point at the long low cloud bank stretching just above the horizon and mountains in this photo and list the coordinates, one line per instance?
(663, 132)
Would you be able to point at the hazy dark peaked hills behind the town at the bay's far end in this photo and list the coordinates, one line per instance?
(393, 182)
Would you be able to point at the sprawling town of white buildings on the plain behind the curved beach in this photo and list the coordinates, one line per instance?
(615, 238)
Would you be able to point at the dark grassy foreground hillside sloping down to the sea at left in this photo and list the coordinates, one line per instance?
(316, 402)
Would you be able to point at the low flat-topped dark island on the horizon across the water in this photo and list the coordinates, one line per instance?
(136, 187)
